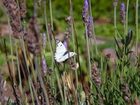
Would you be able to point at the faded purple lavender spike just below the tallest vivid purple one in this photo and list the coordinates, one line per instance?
(90, 26)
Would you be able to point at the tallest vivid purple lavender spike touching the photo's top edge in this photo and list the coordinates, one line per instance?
(85, 11)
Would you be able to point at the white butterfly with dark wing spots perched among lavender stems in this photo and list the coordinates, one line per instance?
(62, 53)
